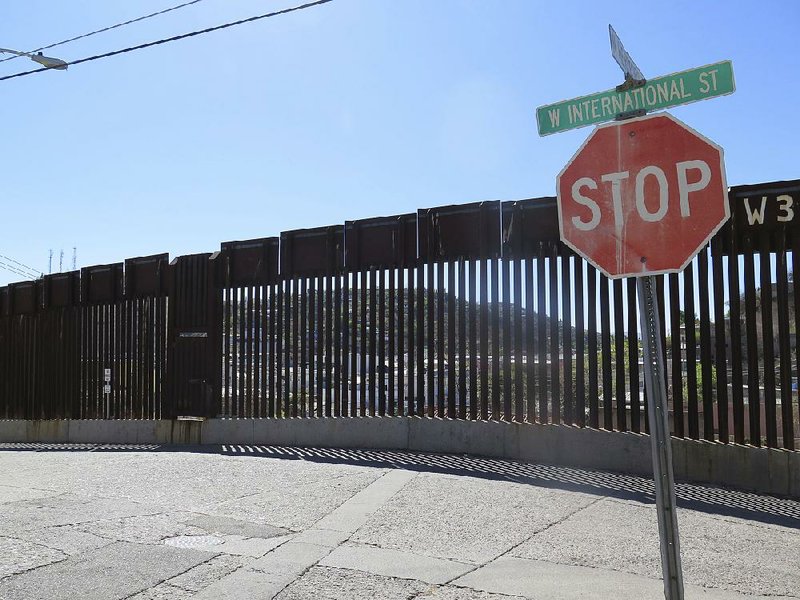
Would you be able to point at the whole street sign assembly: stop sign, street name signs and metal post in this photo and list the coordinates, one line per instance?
(605, 217)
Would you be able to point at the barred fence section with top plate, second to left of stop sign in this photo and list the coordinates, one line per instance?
(459, 241)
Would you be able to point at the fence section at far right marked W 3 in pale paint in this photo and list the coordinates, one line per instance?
(762, 241)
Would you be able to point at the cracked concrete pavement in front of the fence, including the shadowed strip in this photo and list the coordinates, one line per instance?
(152, 522)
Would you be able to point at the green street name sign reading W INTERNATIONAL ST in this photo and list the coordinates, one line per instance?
(662, 92)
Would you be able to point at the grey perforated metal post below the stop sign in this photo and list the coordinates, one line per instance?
(656, 394)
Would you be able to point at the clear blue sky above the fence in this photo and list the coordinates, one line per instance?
(353, 109)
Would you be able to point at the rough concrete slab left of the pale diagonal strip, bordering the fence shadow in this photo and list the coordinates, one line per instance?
(201, 483)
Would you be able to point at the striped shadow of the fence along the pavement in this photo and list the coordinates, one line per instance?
(704, 498)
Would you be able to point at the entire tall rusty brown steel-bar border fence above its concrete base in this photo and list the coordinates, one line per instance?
(473, 311)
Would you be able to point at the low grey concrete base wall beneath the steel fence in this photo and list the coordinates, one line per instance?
(747, 467)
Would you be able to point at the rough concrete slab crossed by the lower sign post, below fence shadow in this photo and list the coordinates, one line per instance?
(716, 551)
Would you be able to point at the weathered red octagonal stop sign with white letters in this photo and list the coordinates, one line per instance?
(642, 196)
